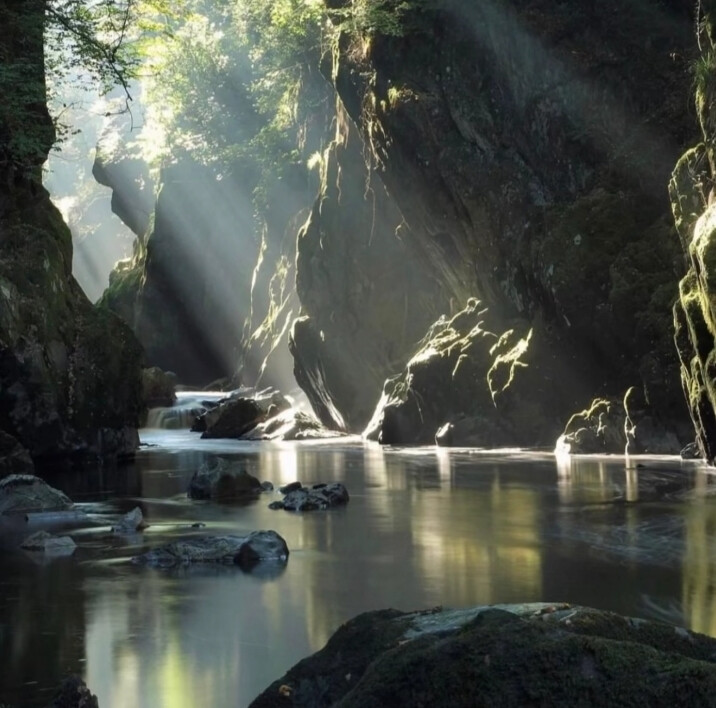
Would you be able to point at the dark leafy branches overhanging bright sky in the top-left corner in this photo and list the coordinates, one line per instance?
(42, 43)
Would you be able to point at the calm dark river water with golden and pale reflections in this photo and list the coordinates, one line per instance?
(424, 527)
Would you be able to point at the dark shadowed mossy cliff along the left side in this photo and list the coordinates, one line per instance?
(69, 374)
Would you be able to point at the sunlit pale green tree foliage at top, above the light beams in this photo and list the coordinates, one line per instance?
(235, 82)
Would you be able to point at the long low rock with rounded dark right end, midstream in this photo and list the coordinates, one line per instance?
(241, 550)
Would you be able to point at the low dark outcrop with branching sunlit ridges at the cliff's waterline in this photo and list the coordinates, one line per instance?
(471, 384)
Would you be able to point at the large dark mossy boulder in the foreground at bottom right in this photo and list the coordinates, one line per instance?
(502, 655)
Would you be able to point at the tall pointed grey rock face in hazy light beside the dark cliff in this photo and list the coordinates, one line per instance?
(365, 295)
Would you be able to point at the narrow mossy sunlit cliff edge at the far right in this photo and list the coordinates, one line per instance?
(692, 191)
